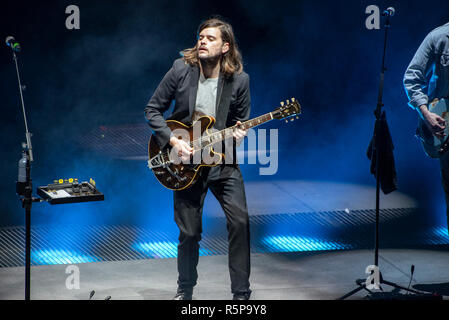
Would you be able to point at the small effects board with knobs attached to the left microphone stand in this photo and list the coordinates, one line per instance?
(70, 191)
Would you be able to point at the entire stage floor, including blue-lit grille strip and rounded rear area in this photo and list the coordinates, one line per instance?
(302, 248)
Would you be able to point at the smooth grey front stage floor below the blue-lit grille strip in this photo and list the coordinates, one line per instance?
(275, 276)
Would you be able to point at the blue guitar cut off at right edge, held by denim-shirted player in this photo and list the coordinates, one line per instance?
(433, 146)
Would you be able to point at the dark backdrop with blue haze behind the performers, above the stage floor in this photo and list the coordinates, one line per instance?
(103, 75)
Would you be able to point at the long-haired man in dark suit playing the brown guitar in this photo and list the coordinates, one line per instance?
(207, 80)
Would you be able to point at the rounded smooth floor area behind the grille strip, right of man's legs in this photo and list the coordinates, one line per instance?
(303, 196)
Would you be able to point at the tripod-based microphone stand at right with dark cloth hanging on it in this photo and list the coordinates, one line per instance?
(376, 148)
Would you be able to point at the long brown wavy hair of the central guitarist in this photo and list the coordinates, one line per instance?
(231, 61)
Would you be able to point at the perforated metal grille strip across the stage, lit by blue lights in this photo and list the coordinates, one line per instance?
(318, 231)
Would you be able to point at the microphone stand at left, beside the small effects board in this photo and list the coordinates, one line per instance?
(25, 189)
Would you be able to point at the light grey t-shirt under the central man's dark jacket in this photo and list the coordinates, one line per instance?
(206, 97)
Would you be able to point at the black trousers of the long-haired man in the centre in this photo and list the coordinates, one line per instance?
(226, 183)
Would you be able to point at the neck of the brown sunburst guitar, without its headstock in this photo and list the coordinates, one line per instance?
(224, 134)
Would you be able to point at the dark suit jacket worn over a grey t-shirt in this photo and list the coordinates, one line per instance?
(181, 84)
